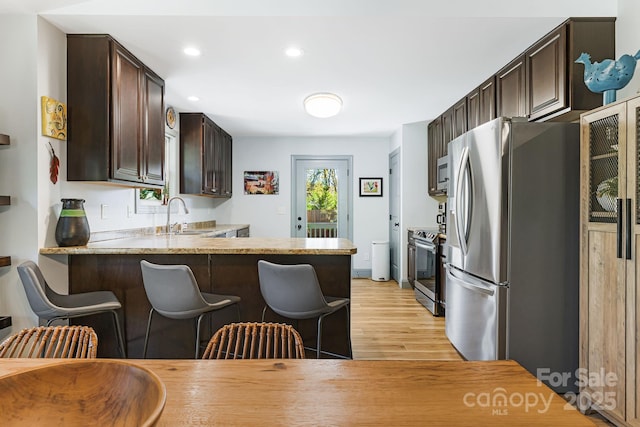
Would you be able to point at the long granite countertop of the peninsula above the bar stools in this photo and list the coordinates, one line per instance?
(201, 244)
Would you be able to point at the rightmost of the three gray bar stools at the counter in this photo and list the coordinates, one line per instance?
(293, 291)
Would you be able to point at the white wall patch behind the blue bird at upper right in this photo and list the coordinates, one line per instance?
(628, 40)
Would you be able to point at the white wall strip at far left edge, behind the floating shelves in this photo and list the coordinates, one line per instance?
(18, 161)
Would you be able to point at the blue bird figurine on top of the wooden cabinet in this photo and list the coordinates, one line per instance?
(608, 75)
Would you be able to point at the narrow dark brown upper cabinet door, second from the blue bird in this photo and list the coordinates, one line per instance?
(511, 90)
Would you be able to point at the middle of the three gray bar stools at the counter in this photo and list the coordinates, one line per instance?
(173, 292)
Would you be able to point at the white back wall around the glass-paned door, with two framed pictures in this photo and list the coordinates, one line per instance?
(270, 216)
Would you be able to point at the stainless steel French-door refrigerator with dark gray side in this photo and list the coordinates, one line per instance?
(512, 245)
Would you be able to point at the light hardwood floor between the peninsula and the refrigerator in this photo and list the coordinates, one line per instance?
(388, 323)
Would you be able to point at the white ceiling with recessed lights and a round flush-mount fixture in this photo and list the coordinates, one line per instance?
(391, 61)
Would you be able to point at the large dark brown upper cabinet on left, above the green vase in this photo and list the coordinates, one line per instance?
(115, 113)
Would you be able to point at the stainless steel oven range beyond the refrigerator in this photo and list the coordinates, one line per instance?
(426, 269)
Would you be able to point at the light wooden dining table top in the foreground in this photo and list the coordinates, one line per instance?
(348, 392)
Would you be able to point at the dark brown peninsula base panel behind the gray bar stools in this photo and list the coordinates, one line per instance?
(230, 274)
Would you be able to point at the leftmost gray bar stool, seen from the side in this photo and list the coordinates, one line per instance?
(49, 305)
